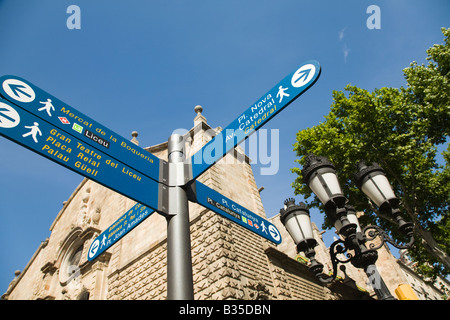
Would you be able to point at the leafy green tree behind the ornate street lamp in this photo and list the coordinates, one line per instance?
(400, 129)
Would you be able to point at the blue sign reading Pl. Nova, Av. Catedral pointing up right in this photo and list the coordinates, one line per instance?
(264, 109)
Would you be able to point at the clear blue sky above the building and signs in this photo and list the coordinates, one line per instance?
(144, 65)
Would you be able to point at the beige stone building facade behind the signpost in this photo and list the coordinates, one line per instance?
(229, 262)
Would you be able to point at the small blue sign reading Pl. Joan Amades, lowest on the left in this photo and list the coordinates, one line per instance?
(127, 222)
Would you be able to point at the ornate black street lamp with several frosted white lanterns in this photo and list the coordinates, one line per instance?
(320, 175)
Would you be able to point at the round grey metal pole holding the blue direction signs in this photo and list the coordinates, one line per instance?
(180, 285)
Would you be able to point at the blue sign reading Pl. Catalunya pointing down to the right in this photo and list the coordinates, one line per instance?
(231, 210)
